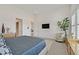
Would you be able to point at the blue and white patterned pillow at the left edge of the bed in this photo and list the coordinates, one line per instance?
(4, 50)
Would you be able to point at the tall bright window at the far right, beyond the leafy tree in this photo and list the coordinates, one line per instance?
(75, 24)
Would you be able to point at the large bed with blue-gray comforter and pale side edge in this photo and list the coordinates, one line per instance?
(26, 45)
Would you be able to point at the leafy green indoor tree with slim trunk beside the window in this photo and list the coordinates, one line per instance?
(64, 25)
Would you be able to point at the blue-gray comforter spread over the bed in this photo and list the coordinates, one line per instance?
(25, 45)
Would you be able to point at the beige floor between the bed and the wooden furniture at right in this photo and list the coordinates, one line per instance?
(57, 49)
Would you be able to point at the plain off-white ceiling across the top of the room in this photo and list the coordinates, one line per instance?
(36, 8)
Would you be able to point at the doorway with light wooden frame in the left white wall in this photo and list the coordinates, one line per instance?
(18, 27)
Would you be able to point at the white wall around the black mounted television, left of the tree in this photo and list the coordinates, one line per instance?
(52, 18)
